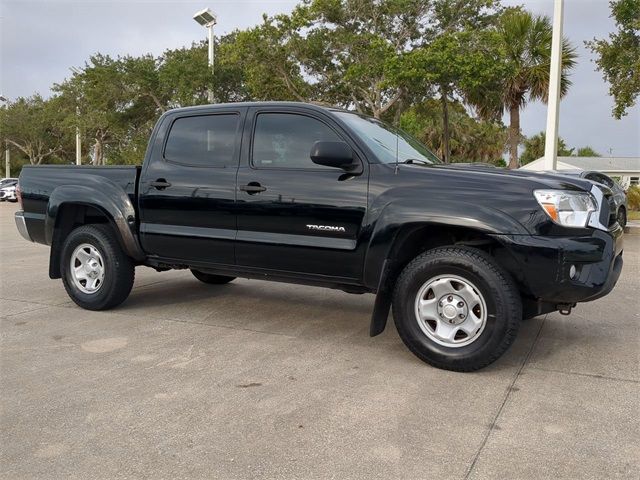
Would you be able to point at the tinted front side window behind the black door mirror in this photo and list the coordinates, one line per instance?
(284, 140)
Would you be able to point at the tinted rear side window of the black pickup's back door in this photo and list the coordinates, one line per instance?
(203, 141)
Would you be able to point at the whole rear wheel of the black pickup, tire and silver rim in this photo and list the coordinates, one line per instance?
(96, 273)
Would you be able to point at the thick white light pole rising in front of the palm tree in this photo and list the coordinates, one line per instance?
(553, 108)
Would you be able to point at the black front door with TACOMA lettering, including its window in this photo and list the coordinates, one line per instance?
(294, 215)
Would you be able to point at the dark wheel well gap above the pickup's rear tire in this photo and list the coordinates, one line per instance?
(68, 217)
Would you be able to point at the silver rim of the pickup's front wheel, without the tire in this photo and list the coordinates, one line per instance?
(451, 311)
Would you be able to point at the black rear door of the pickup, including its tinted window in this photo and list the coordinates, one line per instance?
(187, 190)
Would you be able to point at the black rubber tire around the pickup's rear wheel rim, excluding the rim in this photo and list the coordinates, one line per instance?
(119, 270)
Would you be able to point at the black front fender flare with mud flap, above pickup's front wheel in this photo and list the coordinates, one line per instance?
(395, 215)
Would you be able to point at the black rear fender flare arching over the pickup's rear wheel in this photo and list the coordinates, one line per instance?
(104, 195)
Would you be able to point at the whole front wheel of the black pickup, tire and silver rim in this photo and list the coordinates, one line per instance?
(456, 309)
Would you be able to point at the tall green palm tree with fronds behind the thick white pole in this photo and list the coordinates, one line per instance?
(526, 45)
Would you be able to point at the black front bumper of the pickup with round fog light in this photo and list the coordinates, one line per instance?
(543, 265)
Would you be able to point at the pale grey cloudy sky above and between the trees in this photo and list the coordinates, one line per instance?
(41, 39)
